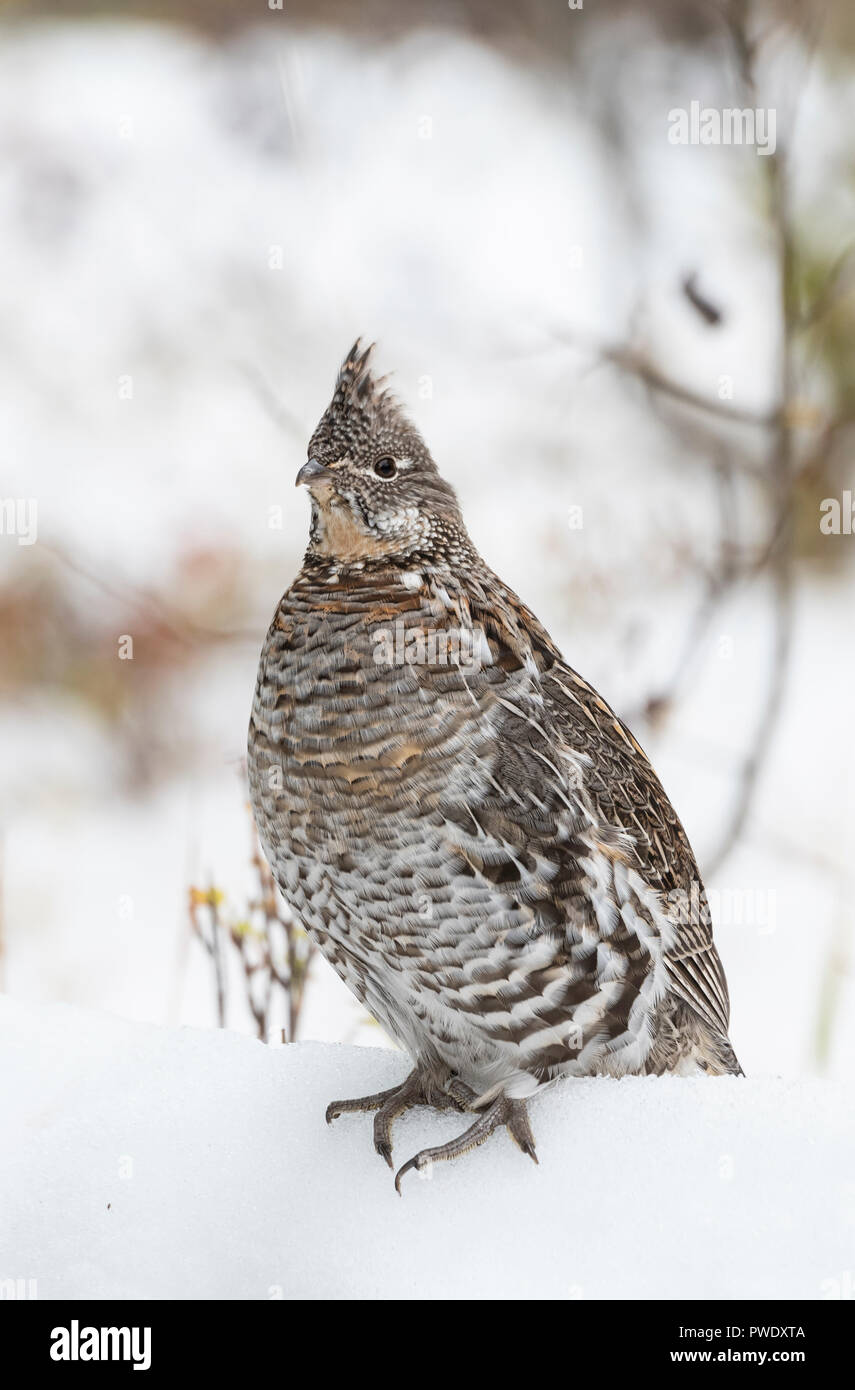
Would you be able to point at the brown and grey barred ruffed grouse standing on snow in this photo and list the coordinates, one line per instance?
(473, 839)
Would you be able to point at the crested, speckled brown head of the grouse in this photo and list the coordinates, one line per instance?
(376, 491)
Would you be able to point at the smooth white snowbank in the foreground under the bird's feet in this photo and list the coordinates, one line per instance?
(179, 1164)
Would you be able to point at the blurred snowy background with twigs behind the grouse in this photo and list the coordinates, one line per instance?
(633, 359)
